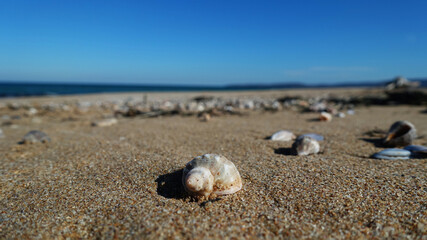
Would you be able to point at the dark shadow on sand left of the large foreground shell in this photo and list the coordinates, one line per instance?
(169, 185)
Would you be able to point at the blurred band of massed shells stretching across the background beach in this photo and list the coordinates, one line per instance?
(214, 106)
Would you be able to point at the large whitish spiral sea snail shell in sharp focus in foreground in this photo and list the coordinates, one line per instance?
(211, 173)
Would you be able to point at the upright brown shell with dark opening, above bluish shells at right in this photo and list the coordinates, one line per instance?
(401, 133)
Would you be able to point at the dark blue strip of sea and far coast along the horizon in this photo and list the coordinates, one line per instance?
(27, 89)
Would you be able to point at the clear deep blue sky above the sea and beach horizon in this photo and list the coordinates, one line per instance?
(212, 42)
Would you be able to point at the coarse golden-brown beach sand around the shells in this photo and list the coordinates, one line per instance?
(124, 181)
